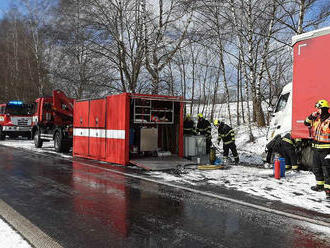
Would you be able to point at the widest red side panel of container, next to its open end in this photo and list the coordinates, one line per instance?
(117, 149)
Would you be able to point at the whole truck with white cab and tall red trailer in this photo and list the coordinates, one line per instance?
(311, 82)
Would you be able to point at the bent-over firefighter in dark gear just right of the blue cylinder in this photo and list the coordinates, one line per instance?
(287, 150)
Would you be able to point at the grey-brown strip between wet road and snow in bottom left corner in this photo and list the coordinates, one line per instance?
(30, 232)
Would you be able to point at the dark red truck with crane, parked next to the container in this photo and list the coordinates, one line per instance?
(53, 121)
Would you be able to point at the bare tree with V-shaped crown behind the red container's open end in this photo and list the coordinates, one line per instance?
(165, 29)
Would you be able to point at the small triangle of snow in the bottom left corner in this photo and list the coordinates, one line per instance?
(9, 238)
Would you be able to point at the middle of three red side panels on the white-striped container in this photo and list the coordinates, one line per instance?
(97, 112)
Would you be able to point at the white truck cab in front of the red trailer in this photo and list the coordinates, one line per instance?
(282, 115)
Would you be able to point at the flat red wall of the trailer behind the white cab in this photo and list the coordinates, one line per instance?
(310, 80)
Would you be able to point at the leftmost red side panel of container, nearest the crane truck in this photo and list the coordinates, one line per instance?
(80, 128)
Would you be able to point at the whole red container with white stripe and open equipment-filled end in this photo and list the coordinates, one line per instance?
(145, 130)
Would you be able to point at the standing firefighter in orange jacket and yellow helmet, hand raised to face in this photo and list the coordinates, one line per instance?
(319, 122)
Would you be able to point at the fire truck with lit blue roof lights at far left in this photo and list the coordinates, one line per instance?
(15, 120)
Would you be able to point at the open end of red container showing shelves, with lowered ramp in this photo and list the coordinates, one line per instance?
(156, 132)
